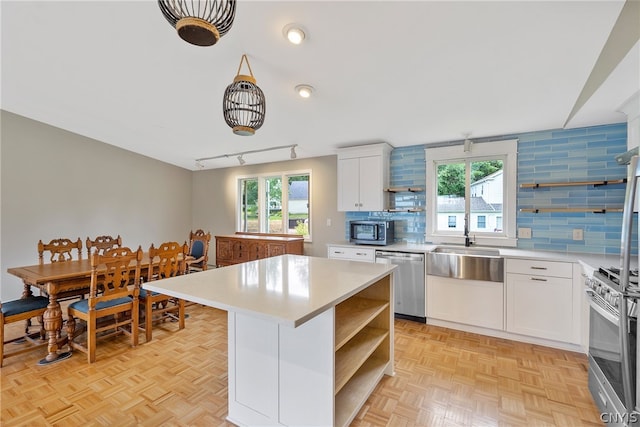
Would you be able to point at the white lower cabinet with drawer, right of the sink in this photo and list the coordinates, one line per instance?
(540, 299)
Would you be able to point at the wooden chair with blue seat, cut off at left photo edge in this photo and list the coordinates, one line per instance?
(23, 309)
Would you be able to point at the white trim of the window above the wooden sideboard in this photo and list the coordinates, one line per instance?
(284, 175)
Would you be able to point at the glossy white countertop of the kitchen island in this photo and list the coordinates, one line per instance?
(289, 289)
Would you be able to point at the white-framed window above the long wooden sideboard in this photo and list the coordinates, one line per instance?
(275, 203)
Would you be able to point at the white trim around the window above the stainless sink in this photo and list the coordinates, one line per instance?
(507, 151)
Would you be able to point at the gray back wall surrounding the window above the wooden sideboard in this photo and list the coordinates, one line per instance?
(214, 199)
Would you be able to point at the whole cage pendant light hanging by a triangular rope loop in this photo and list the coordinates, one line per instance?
(243, 104)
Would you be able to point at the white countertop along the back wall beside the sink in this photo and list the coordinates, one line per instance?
(585, 259)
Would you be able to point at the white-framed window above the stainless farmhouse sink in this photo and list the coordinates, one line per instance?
(475, 191)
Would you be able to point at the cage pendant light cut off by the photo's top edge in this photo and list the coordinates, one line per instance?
(201, 23)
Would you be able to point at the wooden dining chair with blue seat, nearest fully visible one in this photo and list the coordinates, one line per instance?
(112, 306)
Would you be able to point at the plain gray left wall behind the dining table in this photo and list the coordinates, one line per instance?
(59, 184)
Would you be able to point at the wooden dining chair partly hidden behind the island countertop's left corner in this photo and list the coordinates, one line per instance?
(168, 260)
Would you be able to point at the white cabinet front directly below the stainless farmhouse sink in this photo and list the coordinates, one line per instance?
(471, 302)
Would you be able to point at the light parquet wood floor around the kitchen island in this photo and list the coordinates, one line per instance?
(444, 378)
